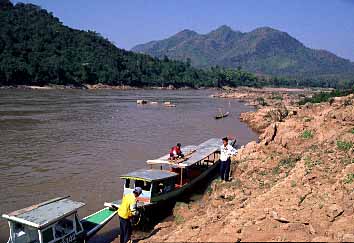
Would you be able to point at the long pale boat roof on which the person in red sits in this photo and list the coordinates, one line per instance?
(199, 153)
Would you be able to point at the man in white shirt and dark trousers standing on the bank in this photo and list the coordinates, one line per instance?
(226, 151)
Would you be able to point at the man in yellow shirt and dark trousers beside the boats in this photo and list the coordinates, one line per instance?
(126, 210)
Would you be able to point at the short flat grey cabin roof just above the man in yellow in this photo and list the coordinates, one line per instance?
(149, 175)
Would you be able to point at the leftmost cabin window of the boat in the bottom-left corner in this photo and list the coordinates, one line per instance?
(24, 234)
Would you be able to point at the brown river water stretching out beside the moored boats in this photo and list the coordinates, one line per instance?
(77, 142)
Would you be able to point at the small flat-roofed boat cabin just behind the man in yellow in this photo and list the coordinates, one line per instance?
(154, 183)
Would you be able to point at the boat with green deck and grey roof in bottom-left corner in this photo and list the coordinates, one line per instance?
(55, 221)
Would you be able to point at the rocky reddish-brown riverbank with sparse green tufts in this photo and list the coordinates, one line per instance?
(295, 184)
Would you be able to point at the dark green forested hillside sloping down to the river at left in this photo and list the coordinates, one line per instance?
(37, 49)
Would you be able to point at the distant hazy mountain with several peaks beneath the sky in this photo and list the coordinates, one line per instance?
(263, 51)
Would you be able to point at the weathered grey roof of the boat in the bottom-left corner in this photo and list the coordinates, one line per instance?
(46, 213)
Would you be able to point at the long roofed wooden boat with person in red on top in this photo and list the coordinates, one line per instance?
(171, 179)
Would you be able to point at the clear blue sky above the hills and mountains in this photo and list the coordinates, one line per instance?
(319, 24)
